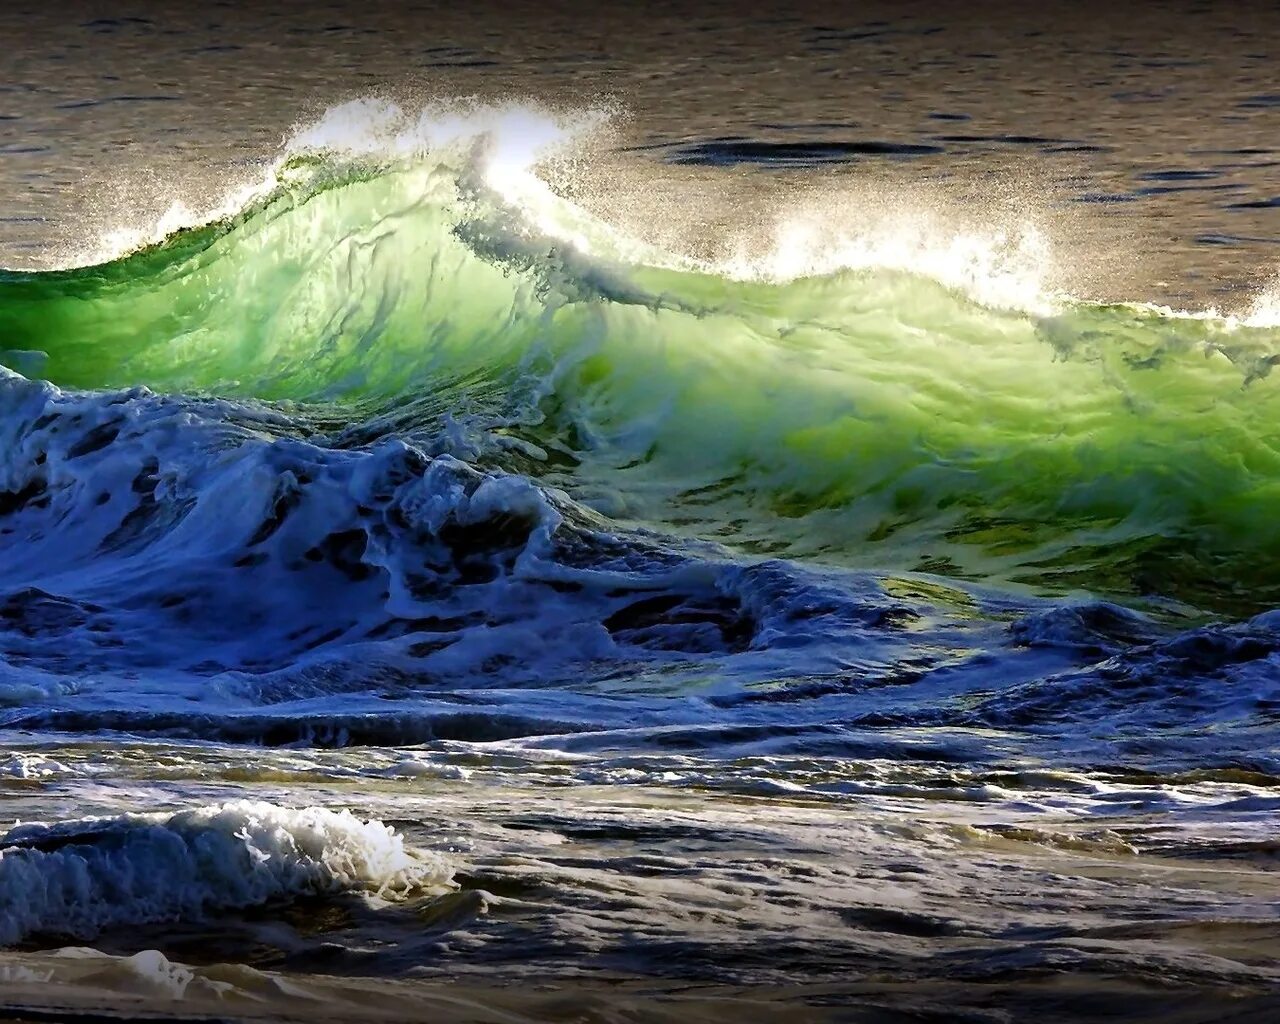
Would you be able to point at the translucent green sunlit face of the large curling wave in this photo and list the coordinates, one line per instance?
(872, 418)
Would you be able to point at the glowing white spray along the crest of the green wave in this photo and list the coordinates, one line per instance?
(523, 153)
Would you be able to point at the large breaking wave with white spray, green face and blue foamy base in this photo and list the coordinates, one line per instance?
(401, 446)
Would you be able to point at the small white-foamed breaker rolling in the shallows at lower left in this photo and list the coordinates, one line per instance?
(80, 877)
